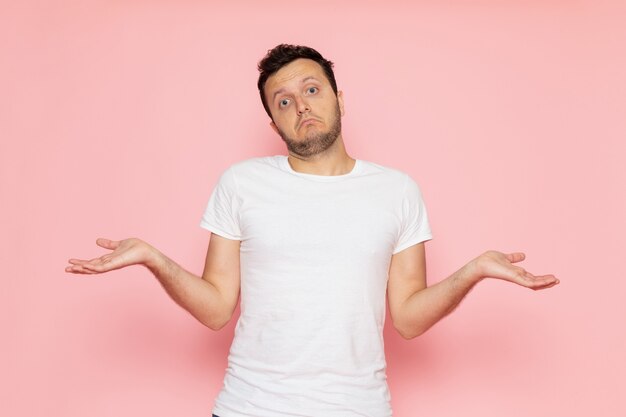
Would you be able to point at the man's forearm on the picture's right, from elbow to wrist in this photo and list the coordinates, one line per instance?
(429, 305)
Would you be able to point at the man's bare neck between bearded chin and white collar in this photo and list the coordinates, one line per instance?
(333, 161)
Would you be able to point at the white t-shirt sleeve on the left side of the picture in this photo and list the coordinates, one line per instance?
(222, 212)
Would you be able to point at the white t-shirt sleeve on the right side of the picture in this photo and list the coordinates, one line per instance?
(414, 218)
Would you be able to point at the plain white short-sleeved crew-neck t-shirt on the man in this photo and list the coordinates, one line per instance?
(315, 255)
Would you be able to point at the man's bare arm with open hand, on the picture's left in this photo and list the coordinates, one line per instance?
(211, 298)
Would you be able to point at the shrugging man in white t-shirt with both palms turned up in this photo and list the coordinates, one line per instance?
(314, 241)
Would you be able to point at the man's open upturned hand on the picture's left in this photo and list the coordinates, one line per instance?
(126, 252)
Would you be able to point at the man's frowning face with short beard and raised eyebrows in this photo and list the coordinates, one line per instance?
(305, 110)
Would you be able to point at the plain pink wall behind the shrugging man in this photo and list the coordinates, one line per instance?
(116, 119)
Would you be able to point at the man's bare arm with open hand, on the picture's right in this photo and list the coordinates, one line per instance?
(415, 307)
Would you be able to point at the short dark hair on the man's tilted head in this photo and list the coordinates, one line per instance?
(284, 54)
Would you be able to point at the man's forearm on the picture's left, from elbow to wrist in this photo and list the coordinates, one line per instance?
(196, 295)
